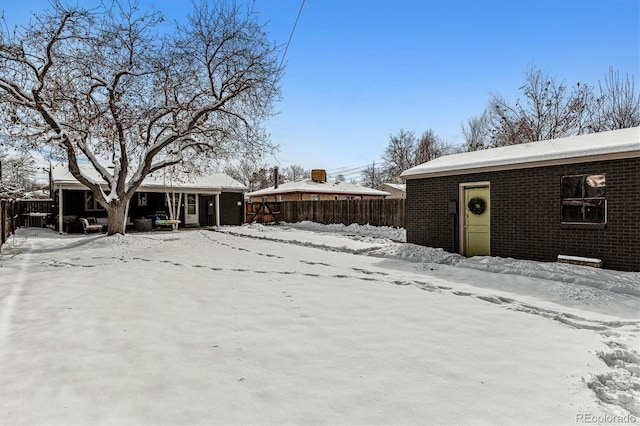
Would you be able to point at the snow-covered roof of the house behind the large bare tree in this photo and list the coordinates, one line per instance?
(156, 182)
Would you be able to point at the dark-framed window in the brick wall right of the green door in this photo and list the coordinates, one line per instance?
(584, 199)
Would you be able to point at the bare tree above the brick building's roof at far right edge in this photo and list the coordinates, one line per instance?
(617, 106)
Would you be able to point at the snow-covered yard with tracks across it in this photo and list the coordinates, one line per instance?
(307, 324)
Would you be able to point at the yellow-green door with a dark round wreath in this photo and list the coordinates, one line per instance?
(476, 222)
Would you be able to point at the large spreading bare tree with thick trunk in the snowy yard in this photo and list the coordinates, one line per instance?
(104, 86)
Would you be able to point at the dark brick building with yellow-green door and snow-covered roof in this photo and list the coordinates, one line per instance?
(575, 196)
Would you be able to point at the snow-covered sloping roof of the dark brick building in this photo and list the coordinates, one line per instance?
(624, 143)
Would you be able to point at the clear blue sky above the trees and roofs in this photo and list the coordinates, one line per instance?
(360, 70)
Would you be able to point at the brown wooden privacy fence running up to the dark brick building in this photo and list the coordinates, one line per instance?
(373, 212)
